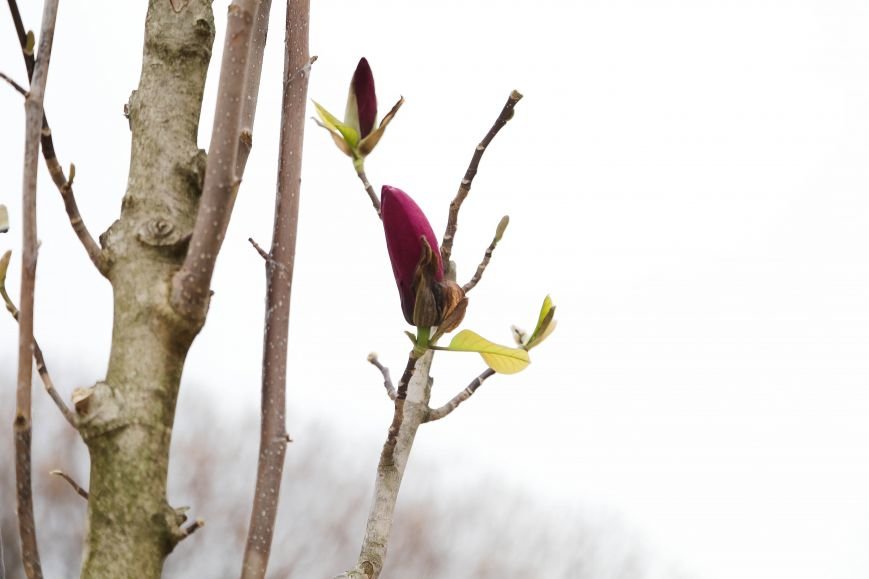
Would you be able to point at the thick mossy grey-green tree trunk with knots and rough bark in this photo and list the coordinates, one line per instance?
(126, 420)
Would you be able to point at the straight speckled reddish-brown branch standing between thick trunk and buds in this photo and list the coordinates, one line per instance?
(280, 262)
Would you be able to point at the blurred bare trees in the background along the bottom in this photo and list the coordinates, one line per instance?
(479, 530)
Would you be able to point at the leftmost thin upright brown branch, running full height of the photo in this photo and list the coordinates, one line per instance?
(22, 425)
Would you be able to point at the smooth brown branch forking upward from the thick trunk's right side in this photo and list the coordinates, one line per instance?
(191, 285)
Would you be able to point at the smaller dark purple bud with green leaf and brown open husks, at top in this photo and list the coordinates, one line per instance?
(357, 136)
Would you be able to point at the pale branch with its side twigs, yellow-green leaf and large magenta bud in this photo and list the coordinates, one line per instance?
(429, 298)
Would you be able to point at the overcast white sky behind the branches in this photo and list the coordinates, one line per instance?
(687, 178)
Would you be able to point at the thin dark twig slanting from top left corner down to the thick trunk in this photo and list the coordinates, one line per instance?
(64, 185)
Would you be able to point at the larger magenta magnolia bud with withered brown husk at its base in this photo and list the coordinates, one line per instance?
(416, 259)
